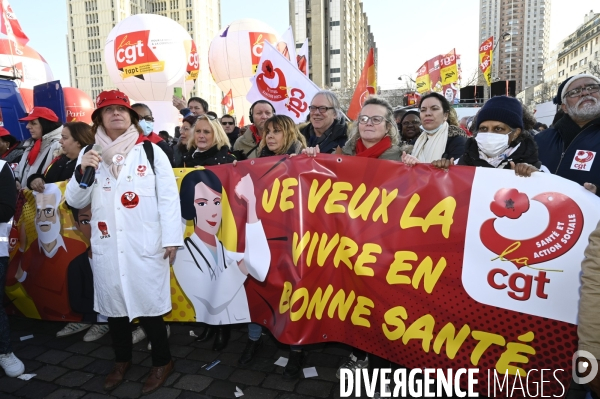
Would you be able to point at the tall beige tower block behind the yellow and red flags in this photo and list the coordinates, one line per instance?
(520, 55)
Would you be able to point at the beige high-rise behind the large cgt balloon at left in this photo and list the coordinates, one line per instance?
(90, 22)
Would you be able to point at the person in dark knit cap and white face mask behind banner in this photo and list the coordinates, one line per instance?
(501, 141)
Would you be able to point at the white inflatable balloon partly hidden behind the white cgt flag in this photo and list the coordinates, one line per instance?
(233, 57)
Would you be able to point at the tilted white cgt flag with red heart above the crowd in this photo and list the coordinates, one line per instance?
(281, 83)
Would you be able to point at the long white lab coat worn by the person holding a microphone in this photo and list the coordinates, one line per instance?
(131, 278)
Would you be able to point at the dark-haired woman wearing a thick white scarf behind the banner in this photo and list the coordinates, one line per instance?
(443, 138)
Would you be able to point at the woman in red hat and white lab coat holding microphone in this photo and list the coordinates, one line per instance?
(136, 229)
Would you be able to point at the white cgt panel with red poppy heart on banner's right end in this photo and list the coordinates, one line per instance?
(518, 244)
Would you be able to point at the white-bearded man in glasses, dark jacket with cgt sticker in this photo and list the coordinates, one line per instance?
(570, 148)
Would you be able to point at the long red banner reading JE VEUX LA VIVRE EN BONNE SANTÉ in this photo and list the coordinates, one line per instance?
(470, 268)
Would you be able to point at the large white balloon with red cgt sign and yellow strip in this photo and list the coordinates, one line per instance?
(146, 56)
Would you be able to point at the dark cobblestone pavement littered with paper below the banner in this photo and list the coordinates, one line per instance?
(70, 368)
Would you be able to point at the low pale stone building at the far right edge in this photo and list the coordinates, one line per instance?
(579, 52)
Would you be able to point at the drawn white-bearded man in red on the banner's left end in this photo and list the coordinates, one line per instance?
(43, 271)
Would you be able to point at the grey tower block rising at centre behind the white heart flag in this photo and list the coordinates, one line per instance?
(339, 39)
